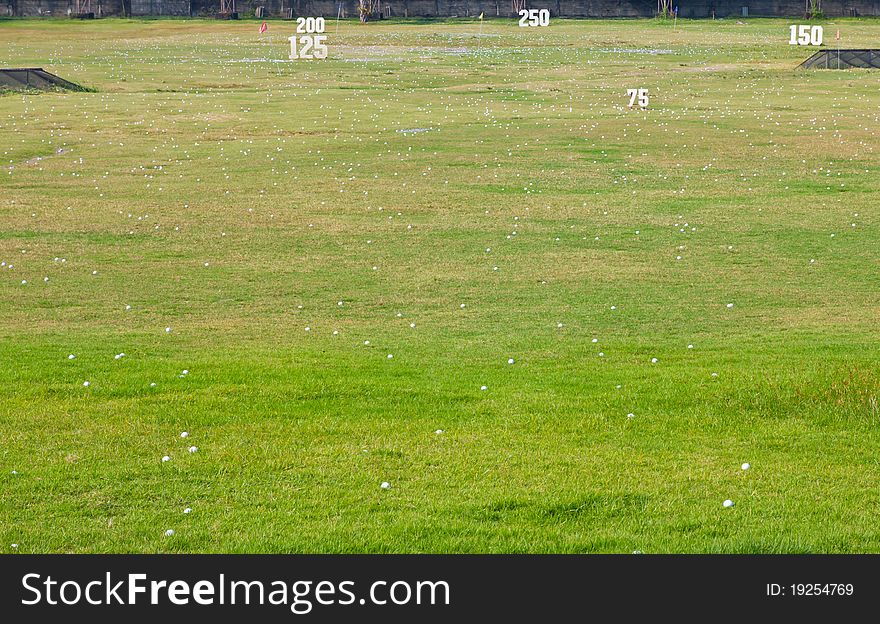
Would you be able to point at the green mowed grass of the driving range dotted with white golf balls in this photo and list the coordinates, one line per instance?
(238, 201)
